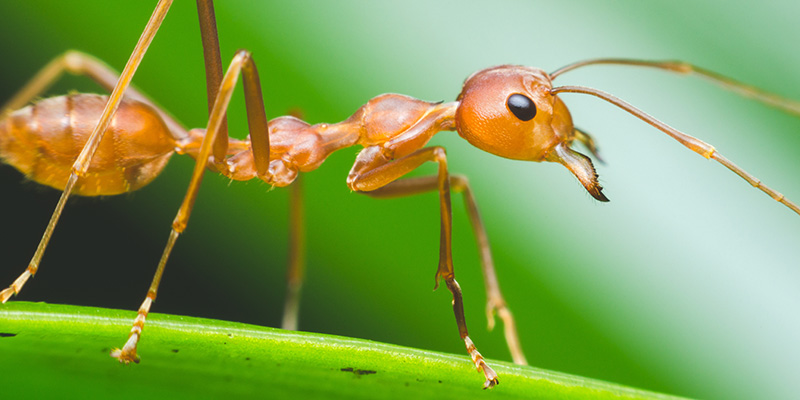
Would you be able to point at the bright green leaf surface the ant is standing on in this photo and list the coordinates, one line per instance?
(62, 351)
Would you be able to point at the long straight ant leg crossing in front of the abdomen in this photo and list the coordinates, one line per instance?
(84, 159)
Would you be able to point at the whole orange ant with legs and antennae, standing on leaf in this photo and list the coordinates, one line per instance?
(510, 111)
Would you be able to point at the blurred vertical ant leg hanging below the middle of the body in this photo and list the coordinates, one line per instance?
(295, 272)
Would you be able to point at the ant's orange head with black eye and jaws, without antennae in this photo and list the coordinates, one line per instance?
(509, 111)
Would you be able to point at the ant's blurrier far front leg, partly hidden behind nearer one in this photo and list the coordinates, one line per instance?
(495, 303)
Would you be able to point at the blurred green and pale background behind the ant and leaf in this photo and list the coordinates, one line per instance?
(686, 283)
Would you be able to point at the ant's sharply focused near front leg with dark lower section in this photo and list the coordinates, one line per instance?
(373, 171)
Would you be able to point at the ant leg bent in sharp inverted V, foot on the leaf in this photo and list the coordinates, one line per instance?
(242, 62)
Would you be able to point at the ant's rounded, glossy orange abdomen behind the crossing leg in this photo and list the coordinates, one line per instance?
(43, 140)
